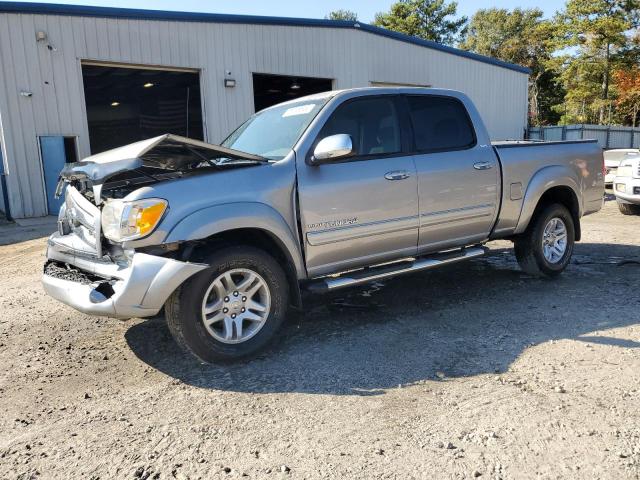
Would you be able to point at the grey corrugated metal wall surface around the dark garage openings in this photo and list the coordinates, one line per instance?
(51, 70)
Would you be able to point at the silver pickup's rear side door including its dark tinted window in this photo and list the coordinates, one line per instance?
(458, 179)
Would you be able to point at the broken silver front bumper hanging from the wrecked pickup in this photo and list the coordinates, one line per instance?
(138, 287)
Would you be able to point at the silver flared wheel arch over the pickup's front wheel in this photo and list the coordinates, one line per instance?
(220, 218)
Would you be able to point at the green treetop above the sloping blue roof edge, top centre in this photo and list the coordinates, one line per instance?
(429, 19)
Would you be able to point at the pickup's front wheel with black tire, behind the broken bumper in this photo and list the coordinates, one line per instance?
(222, 340)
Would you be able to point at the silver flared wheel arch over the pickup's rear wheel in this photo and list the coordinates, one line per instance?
(542, 181)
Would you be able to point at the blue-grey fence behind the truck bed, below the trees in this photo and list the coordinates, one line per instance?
(608, 136)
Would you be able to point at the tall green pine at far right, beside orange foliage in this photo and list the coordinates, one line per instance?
(596, 38)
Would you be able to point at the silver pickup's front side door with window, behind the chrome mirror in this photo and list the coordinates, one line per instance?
(362, 210)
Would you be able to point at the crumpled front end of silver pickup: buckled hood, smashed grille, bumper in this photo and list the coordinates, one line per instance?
(91, 271)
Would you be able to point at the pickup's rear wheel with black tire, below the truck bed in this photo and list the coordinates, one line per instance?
(529, 248)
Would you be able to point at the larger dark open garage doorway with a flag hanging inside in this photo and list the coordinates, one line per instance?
(125, 105)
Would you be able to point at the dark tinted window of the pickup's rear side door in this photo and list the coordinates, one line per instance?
(440, 123)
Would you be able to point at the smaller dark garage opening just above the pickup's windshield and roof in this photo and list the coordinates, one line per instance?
(269, 90)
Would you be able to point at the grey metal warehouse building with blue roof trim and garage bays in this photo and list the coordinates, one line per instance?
(79, 80)
